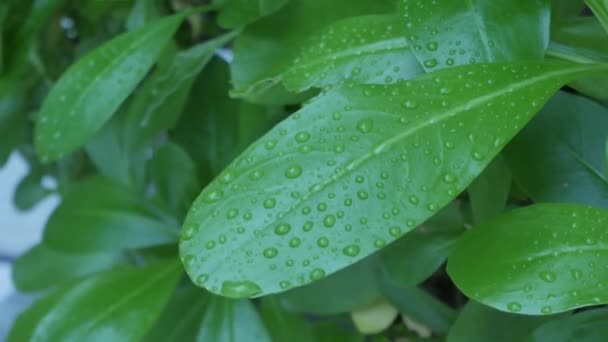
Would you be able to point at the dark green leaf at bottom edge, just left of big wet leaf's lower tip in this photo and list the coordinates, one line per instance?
(181, 319)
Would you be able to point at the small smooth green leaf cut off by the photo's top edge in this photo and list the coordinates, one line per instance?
(235, 13)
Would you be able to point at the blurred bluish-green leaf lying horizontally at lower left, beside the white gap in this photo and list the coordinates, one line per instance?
(42, 268)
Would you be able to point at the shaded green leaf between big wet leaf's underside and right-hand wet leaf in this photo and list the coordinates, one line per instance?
(417, 255)
